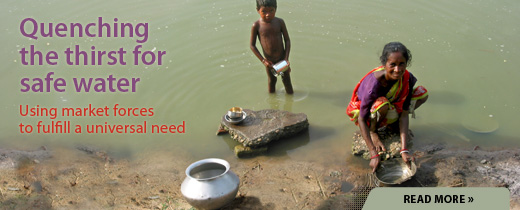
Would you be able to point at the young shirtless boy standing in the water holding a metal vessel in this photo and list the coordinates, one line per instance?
(270, 30)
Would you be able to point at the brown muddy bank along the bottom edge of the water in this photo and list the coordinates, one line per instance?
(87, 178)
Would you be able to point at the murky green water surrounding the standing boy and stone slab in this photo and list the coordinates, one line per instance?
(464, 52)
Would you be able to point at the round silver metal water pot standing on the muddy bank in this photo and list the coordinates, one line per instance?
(209, 184)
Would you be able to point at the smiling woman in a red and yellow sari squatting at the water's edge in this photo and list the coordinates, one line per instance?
(384, 96)
